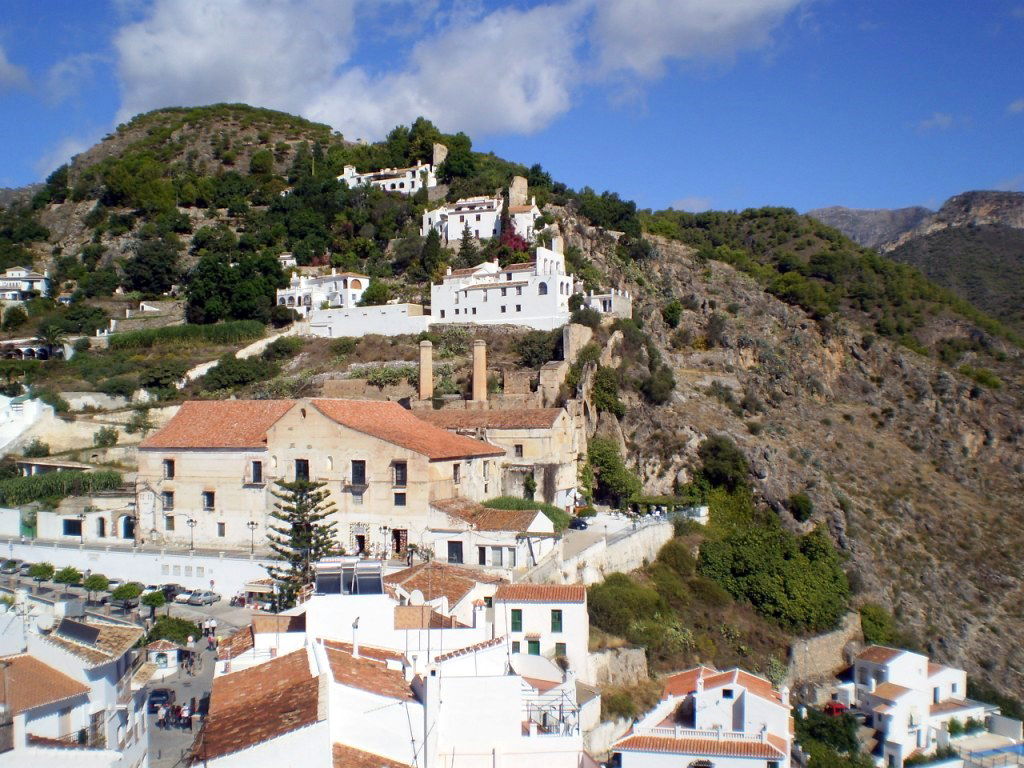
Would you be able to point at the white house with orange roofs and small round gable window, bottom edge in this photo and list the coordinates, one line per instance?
(714, 719)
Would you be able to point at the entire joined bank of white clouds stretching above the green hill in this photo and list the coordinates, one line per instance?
(504, 71)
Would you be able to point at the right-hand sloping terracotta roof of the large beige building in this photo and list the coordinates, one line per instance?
(393, 423)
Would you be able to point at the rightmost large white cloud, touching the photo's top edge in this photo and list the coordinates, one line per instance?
(641, 36)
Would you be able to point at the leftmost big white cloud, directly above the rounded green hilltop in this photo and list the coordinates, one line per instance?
(265, 53)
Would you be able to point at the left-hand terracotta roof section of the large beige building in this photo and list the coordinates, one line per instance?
(220, 424)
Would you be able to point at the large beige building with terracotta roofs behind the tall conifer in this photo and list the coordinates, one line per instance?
(211, 471)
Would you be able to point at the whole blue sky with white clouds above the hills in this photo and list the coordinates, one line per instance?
(693, 104)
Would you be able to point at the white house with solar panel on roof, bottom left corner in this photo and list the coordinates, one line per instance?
(70, 694)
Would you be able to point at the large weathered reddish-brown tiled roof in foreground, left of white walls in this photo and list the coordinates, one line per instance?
(282, 688)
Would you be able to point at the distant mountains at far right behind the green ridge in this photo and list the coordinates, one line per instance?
(973, 245)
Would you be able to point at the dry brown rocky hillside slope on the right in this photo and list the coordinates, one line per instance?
(917, 472)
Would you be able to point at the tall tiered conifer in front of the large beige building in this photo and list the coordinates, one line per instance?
(303, 537)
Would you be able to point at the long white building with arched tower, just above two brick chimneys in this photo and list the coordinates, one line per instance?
(534, 294)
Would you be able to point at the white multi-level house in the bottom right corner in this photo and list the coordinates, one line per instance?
(910, 702)
